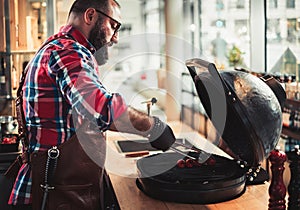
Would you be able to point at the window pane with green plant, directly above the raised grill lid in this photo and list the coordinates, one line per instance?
(224, 34)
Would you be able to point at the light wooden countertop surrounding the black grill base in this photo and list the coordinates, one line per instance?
(122, 172)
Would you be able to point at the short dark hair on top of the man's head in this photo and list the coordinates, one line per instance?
(80, 6)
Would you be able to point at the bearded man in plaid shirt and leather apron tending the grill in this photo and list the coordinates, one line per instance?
(62, 89)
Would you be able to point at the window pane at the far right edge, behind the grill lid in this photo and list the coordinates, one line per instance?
(283, 38)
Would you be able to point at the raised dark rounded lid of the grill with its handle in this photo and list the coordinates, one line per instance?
(243, 108)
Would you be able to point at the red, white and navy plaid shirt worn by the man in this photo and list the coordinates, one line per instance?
(62, 81)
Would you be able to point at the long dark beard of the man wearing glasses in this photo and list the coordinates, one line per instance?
(98, 39)
